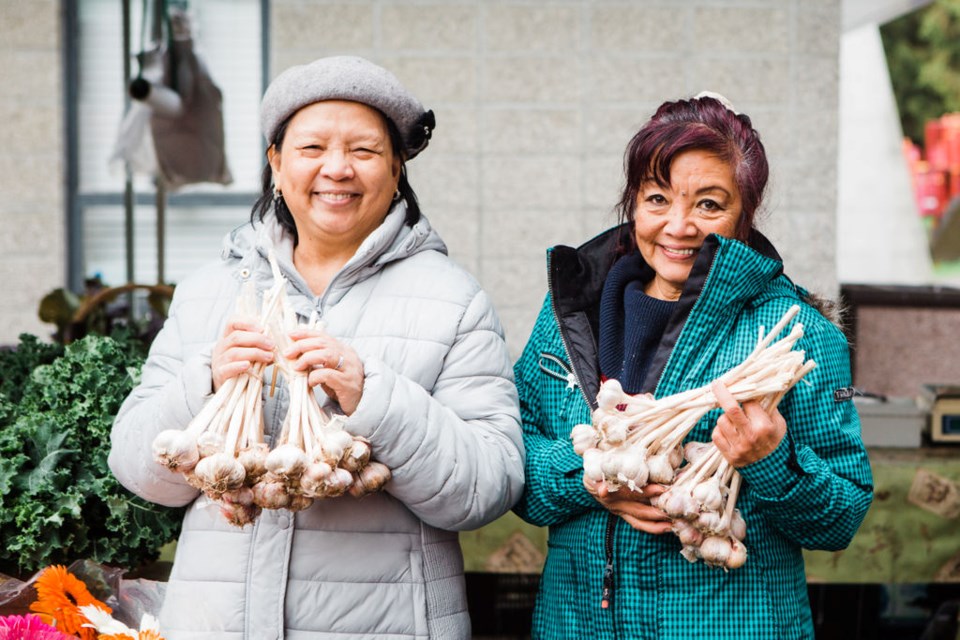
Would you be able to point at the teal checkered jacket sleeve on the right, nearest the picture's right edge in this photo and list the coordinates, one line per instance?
(816, 487)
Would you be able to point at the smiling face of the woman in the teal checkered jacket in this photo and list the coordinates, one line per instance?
(671, 223)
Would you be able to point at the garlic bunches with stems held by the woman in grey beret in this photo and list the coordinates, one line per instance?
(223, 451)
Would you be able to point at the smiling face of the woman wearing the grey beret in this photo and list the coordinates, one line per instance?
(337, 171)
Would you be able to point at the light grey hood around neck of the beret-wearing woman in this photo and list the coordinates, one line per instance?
(393, 240)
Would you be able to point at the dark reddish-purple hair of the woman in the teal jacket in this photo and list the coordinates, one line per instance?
(703, 124)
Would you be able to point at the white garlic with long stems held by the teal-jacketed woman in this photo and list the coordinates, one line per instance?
(638, 439)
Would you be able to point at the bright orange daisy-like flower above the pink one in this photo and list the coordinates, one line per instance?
(59, 598)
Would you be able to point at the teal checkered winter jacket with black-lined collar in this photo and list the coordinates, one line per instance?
(812, 492)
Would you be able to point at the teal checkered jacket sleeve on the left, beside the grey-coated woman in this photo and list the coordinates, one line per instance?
(554, 489)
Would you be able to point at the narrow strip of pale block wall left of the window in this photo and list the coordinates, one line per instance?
(32, 219)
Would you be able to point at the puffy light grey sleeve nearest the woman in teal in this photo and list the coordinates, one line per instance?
(455, 453)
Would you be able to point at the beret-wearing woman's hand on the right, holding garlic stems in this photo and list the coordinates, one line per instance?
(333, 365)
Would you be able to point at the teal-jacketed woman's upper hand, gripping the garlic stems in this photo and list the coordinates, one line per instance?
(747, 433)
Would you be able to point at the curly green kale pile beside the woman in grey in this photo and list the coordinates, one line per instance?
(58, 500)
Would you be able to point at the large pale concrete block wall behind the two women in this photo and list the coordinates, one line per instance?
(535, 102)
